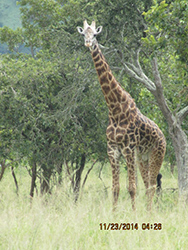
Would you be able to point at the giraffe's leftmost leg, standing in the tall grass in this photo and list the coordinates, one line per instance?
(114, 154)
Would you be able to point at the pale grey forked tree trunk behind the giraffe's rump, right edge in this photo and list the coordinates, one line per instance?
(178, 136)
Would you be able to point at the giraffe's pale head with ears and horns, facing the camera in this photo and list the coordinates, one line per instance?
(89, 32)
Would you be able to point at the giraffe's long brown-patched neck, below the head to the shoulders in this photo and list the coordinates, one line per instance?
(112, 90)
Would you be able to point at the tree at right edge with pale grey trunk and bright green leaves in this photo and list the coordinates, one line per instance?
(167, 32)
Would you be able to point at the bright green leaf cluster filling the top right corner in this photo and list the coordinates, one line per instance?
(170, 22)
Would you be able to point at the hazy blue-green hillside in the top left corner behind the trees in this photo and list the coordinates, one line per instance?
(9, 16)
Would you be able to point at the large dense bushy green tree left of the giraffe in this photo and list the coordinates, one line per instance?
(47, 106)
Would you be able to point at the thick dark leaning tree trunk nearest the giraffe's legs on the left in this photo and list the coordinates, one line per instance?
(78, 177)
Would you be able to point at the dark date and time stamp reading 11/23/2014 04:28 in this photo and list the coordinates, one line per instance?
(130, 226)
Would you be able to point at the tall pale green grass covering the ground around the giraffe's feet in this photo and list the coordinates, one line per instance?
(55, 222)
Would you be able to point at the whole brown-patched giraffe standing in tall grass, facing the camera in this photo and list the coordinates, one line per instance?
(129, 133)
